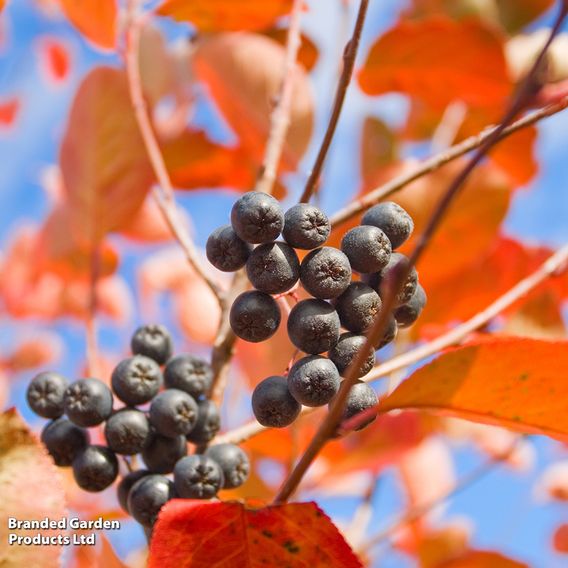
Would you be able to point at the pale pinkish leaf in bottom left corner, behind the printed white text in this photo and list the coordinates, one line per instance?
(35, 495)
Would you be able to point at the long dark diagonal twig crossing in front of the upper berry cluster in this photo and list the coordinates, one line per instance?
(526, 92)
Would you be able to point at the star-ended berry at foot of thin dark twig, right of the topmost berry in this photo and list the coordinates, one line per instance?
(305, 226)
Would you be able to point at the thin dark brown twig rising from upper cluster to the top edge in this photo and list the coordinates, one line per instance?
(349, 55)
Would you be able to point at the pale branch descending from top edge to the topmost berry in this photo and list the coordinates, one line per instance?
(280, 117)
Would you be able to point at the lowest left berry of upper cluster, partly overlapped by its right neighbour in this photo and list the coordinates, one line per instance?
(272, 403)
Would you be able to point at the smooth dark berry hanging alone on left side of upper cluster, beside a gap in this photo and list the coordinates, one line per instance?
(255, 316)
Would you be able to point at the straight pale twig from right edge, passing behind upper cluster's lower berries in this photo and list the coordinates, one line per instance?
(554, 265)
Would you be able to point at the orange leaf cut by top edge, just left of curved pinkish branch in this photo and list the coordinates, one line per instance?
(95, 19)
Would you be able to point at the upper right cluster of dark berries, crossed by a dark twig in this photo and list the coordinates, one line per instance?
(340, 311)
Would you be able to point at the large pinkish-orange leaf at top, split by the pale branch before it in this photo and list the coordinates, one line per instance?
(243, 72)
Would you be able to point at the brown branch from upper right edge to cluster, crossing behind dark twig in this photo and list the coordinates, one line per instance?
(439, 160)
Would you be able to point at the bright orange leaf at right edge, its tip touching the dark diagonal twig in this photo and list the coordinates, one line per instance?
(511, 382)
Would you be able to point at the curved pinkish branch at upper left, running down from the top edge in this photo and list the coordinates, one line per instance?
(164, 194)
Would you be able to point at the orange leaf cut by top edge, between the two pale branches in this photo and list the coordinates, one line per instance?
(226, 15)
